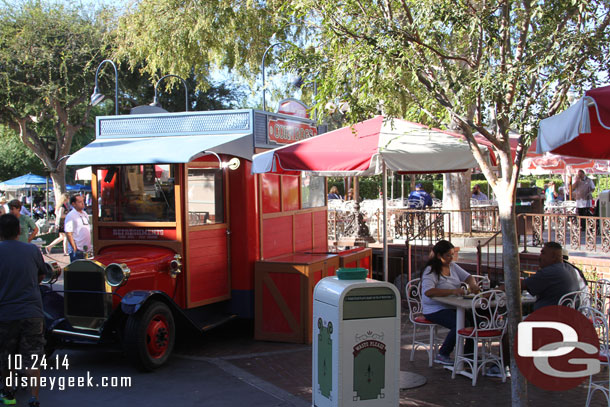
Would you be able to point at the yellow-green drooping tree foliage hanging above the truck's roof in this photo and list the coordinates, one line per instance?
(193, 37)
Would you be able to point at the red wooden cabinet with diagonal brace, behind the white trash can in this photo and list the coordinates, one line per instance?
(283, 295)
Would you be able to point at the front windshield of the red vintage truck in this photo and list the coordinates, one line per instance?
(142, 192)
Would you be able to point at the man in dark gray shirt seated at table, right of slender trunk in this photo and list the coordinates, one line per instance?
(553, 280)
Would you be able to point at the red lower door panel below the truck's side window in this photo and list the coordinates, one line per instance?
(207, 266)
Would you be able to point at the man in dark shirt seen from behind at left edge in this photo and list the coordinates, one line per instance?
(21, 318)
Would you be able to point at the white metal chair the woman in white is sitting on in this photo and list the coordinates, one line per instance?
(416, 316)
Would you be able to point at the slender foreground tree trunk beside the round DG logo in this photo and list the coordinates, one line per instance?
(510, 253)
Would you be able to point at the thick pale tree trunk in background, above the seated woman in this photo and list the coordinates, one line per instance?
(456, 197)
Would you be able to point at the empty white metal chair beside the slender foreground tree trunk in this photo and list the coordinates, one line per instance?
(490, 317)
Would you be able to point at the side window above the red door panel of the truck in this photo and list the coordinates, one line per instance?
(205, 196)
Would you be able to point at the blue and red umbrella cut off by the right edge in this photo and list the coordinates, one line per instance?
(583, 130)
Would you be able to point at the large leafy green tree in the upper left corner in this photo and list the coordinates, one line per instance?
(49, 56)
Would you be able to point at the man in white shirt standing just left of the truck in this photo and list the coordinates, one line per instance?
(77, 229)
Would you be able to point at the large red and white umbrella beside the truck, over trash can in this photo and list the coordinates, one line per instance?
(360, 150)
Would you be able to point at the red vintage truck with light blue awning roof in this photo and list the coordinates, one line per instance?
(179, 223)
